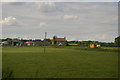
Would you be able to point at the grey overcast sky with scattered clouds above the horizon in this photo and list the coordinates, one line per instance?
(73, 20)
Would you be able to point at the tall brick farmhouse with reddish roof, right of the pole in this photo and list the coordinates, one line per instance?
(59, 41)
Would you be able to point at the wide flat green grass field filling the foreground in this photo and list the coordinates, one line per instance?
(65, 62)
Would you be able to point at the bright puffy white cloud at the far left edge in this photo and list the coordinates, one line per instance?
(8, 21)
